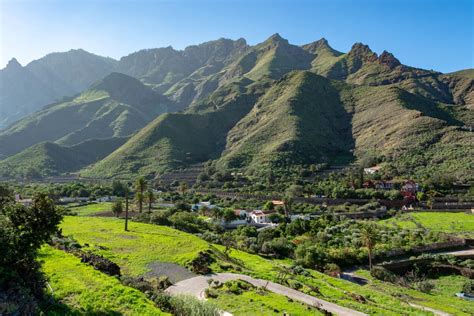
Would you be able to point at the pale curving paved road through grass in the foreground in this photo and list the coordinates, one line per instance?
(196, 286)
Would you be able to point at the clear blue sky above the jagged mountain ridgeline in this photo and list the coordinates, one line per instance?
(428, 34)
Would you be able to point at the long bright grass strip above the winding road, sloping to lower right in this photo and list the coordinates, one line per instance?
(146, 243)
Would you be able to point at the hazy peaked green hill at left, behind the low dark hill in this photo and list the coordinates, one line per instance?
(116, 106)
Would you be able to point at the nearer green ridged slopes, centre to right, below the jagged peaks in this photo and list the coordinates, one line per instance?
(301, 119)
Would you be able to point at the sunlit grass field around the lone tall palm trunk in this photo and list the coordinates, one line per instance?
(134, 250)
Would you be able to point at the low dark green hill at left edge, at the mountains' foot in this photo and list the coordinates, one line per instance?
(46, 159)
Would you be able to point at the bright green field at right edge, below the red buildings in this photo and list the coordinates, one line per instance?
(458, 223)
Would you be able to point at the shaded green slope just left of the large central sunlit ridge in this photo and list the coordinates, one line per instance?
(177, 140)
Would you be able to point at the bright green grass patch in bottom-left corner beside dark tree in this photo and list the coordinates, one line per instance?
(80, 289)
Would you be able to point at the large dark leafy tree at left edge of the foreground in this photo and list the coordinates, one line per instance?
(23, 230)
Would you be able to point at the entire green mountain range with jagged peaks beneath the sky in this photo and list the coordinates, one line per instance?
(272, 106)
